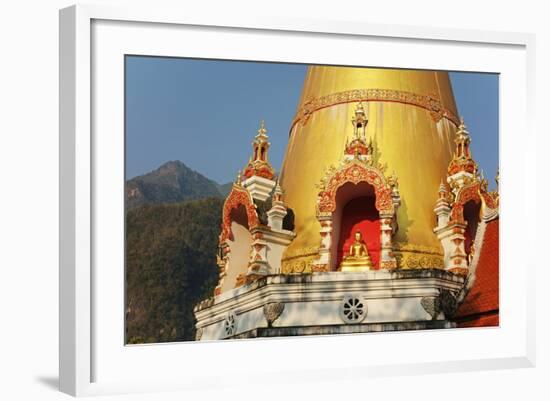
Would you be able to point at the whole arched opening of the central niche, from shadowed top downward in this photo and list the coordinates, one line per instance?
(355, 211)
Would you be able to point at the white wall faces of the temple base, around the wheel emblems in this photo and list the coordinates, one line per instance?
(319, 301)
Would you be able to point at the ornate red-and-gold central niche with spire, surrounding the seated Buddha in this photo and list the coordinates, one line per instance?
(358, 179)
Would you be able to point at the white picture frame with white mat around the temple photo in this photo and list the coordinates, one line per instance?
(83, 352)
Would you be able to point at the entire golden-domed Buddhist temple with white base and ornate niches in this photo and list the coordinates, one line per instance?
(379, 219)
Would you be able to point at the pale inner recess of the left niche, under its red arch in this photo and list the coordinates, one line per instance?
(238, 247)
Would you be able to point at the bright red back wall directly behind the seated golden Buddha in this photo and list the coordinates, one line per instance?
(360, 214)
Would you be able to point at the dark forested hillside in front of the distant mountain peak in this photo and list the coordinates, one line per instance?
(170, 267)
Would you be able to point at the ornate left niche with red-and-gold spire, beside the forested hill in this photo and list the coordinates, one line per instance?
(259, 194)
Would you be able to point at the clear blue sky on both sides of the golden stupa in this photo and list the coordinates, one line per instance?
(205, 113)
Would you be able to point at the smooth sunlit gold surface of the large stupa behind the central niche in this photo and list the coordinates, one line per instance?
(406, 137)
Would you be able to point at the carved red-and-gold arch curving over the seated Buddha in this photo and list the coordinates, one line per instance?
(356, 173)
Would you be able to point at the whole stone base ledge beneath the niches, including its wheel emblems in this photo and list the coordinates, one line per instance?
(332, 303)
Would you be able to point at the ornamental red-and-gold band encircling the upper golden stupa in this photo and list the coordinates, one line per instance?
(428, 102)
